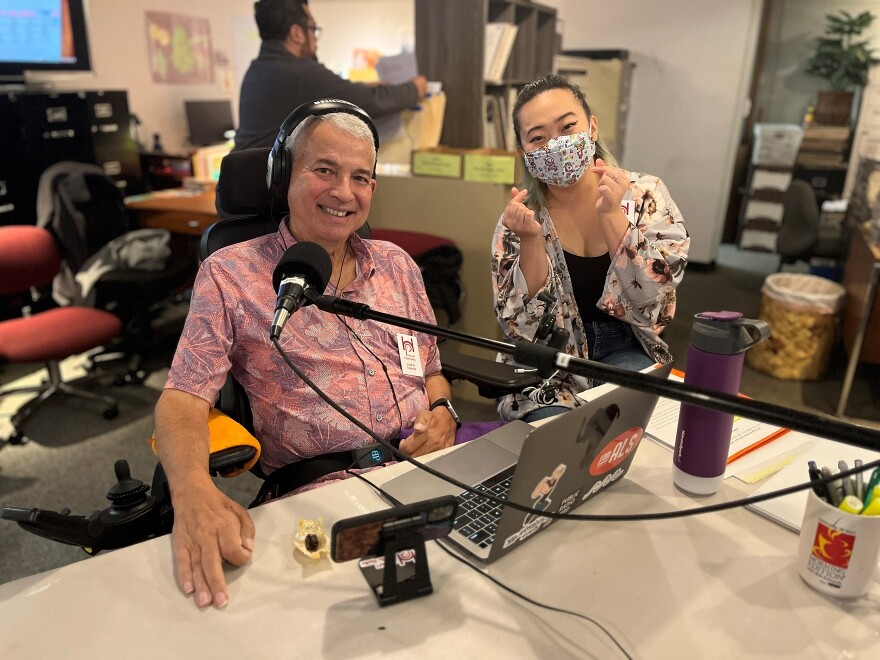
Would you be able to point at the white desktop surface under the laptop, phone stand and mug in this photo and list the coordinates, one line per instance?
(717, 585)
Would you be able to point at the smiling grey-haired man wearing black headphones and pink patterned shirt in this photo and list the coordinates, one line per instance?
(388, 378)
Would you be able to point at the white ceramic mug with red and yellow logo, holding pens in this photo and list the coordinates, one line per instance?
(837, 551)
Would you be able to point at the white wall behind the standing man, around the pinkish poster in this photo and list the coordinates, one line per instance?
(120, 56)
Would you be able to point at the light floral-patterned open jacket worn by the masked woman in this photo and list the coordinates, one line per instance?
(639, 287)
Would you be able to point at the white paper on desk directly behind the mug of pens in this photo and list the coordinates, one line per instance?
(788, 511)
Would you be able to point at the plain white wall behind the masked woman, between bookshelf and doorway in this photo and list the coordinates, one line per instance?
(693, 64)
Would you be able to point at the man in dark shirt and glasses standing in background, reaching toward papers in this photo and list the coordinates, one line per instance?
(287, 74)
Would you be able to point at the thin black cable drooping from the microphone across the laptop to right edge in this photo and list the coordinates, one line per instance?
(661, 515)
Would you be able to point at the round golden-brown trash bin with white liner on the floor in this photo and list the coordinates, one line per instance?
(802, 311)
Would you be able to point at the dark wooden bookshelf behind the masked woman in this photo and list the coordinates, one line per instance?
(450, 47)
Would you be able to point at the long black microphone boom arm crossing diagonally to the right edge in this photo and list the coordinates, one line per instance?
(544, 357)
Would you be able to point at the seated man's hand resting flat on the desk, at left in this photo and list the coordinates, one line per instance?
(208, 528)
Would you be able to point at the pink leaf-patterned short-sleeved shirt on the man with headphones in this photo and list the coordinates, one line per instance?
(228, 329)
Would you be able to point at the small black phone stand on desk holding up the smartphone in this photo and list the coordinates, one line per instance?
(402, 541)
